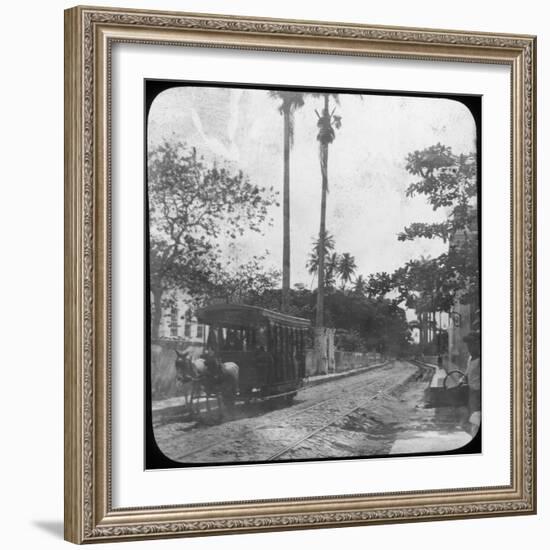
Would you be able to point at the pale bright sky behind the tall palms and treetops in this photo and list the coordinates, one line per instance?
(366, 205)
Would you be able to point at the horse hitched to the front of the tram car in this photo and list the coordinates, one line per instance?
(193, 372)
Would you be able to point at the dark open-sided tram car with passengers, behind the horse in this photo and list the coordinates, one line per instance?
(268, 347)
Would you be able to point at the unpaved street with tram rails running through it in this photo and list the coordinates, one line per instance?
(357, 416)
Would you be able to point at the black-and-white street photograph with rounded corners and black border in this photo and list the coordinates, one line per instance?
(312, 274)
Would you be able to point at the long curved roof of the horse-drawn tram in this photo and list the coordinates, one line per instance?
(238, 315)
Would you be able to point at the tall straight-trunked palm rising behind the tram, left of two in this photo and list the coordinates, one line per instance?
(289, 102)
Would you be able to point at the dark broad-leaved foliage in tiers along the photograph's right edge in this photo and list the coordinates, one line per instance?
(448, 182)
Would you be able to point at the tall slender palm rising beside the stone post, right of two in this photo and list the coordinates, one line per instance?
(327, 121)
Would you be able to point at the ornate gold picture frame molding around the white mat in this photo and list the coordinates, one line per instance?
(89, 34)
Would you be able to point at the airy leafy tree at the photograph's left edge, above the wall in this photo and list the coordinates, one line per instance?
(192, 206)
